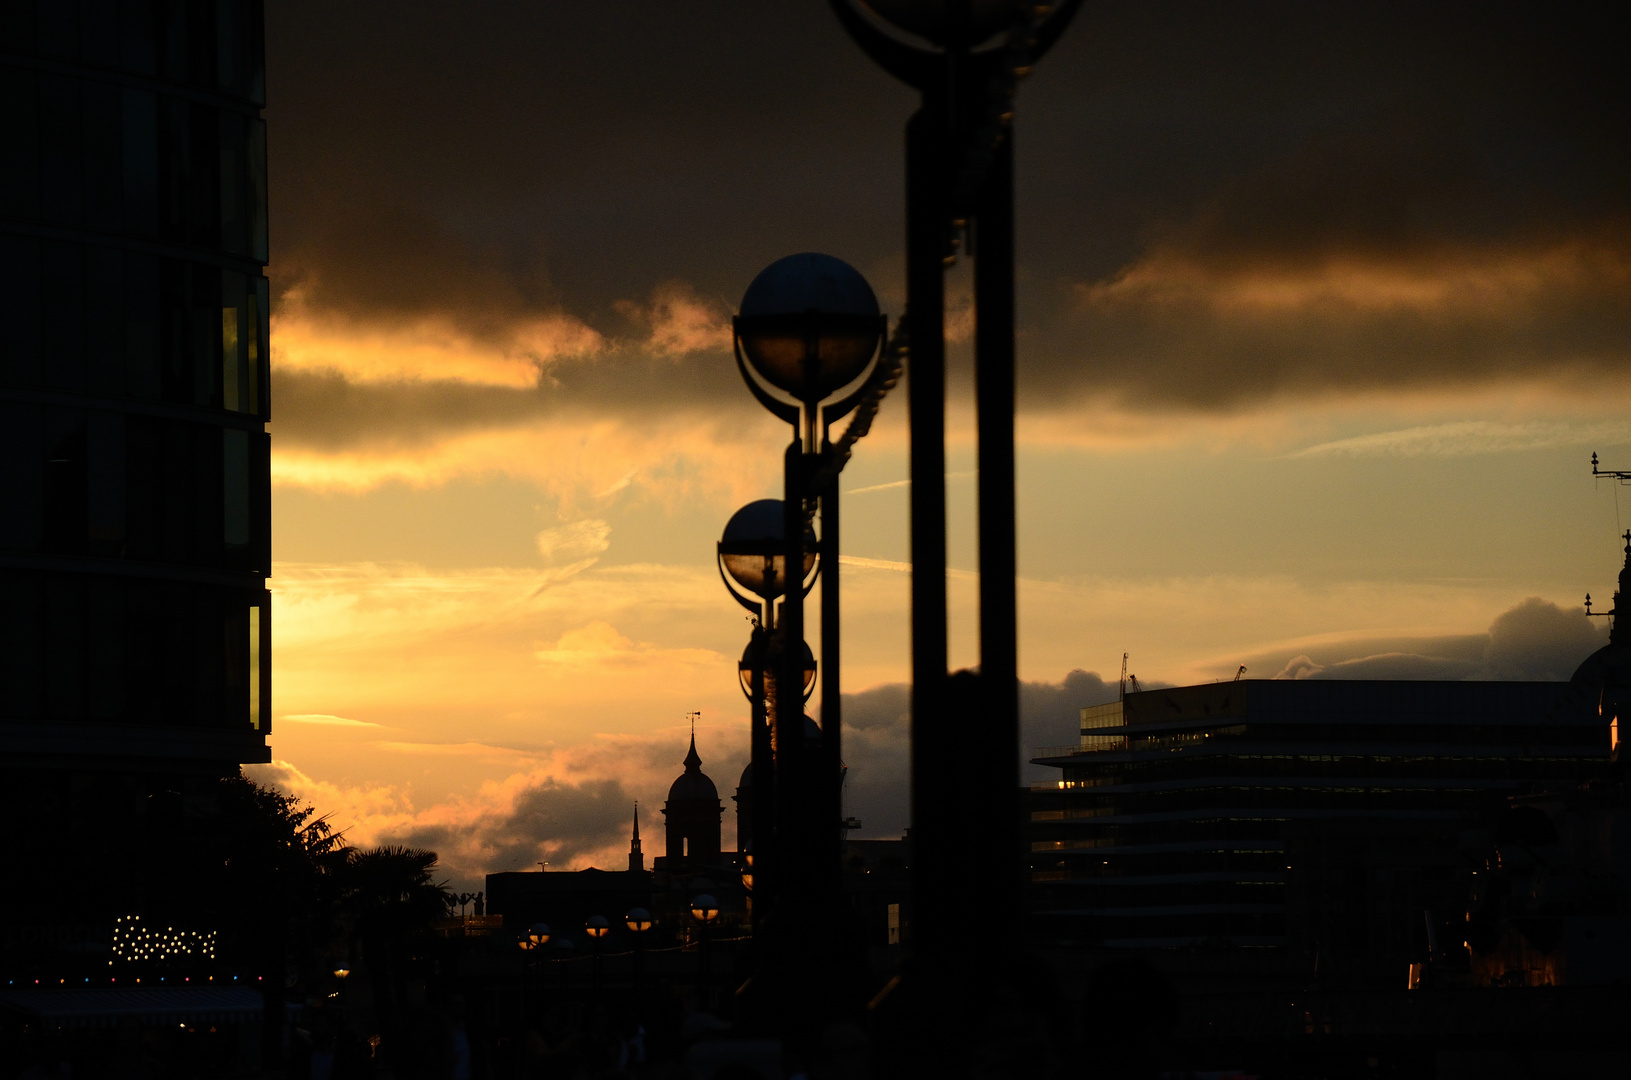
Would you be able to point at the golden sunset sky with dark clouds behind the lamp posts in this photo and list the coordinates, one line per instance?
(1322, 314)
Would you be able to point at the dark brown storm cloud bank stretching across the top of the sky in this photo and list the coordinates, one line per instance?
(1218, 203)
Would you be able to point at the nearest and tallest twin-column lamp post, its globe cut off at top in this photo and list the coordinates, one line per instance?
(960, 192)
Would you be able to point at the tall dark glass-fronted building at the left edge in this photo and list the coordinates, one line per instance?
(135, 476)
